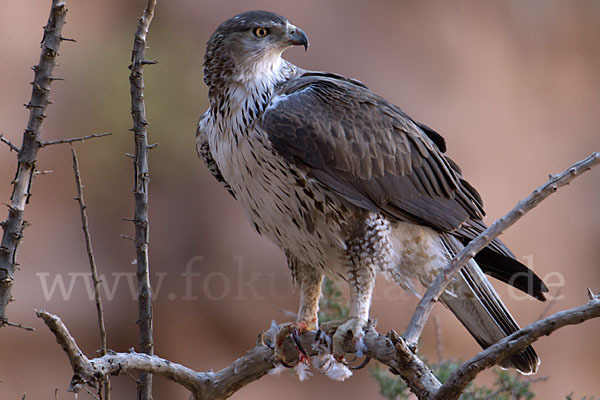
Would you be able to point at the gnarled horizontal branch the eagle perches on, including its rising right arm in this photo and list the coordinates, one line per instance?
(390, 350)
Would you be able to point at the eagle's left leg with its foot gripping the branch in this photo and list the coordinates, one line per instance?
(309, 281)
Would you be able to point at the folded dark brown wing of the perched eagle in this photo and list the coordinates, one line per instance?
(368, 151)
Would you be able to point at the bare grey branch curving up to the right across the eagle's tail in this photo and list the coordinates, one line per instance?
(421, 314)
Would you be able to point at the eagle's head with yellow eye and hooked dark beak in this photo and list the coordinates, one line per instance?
(248, 46)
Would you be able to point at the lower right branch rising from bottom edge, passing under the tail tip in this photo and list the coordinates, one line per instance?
(514, 344)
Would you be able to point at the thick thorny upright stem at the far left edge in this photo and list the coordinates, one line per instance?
(32, 138)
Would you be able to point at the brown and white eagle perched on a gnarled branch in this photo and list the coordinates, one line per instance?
(346, 184)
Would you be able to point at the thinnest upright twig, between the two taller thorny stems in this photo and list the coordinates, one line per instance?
(92, 260)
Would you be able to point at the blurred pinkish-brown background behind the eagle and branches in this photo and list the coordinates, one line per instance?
(512, 85)
